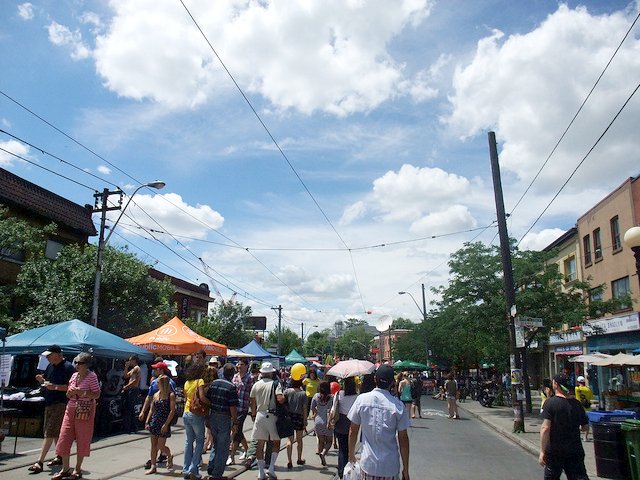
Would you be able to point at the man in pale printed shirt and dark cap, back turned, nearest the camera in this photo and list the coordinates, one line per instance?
(381, 416)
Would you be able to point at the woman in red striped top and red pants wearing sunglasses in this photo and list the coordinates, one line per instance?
(79, 416)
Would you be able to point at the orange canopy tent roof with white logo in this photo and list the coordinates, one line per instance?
(175, 338)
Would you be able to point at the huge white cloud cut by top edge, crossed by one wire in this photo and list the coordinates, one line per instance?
(318, 55)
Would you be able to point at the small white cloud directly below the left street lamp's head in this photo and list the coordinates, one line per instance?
(173, 215)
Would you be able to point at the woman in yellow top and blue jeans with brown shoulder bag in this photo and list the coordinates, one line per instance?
(195, 395)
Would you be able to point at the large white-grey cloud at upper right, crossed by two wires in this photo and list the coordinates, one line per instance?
(527, 87)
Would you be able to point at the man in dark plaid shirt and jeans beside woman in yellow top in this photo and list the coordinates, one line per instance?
(223, 396)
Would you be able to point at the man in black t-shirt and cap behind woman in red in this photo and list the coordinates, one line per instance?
(55, 381)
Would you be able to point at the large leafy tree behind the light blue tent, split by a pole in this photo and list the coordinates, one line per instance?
(61, 289)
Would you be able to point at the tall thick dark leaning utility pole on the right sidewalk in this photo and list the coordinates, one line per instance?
(509, 290)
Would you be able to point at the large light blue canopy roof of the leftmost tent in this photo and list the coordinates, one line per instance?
(74, 336)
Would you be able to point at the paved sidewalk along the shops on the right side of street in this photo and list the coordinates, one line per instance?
(501, 420)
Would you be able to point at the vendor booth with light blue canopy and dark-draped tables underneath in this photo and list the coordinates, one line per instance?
(73, 336)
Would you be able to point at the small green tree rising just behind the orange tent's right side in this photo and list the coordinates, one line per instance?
(225, 324)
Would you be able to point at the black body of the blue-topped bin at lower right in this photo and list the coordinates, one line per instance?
(610, 452)
